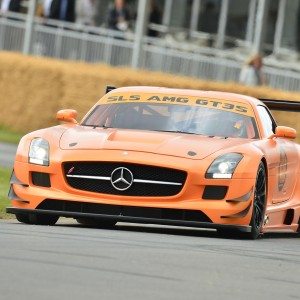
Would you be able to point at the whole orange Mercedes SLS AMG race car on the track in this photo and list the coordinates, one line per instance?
(163, 156)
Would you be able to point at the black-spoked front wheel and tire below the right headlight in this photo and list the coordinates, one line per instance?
(258, 211)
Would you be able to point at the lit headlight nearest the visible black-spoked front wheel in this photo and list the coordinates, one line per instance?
(224, 166)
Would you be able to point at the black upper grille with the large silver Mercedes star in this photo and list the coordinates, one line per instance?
(171, 180)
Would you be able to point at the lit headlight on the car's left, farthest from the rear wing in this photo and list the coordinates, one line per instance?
(39, 152)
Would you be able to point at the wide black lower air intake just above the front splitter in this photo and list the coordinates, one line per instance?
(126, 211)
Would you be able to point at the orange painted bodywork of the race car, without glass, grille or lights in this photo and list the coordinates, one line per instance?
(75, 143)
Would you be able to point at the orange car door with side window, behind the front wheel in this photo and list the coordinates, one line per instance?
(281, 154)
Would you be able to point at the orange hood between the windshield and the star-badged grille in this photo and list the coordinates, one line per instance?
(165, 143)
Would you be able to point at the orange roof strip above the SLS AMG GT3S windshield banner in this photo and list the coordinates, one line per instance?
(187, 92)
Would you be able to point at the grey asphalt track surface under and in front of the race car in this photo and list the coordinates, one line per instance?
(70, 261)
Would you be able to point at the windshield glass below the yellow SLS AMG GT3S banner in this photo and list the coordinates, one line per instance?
(172, 118)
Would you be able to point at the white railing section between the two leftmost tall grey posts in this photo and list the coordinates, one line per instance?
(66, 43)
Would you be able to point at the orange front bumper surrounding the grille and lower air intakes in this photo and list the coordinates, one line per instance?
(234, 209)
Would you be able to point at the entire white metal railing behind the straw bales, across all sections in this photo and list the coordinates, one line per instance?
(91, 44)
